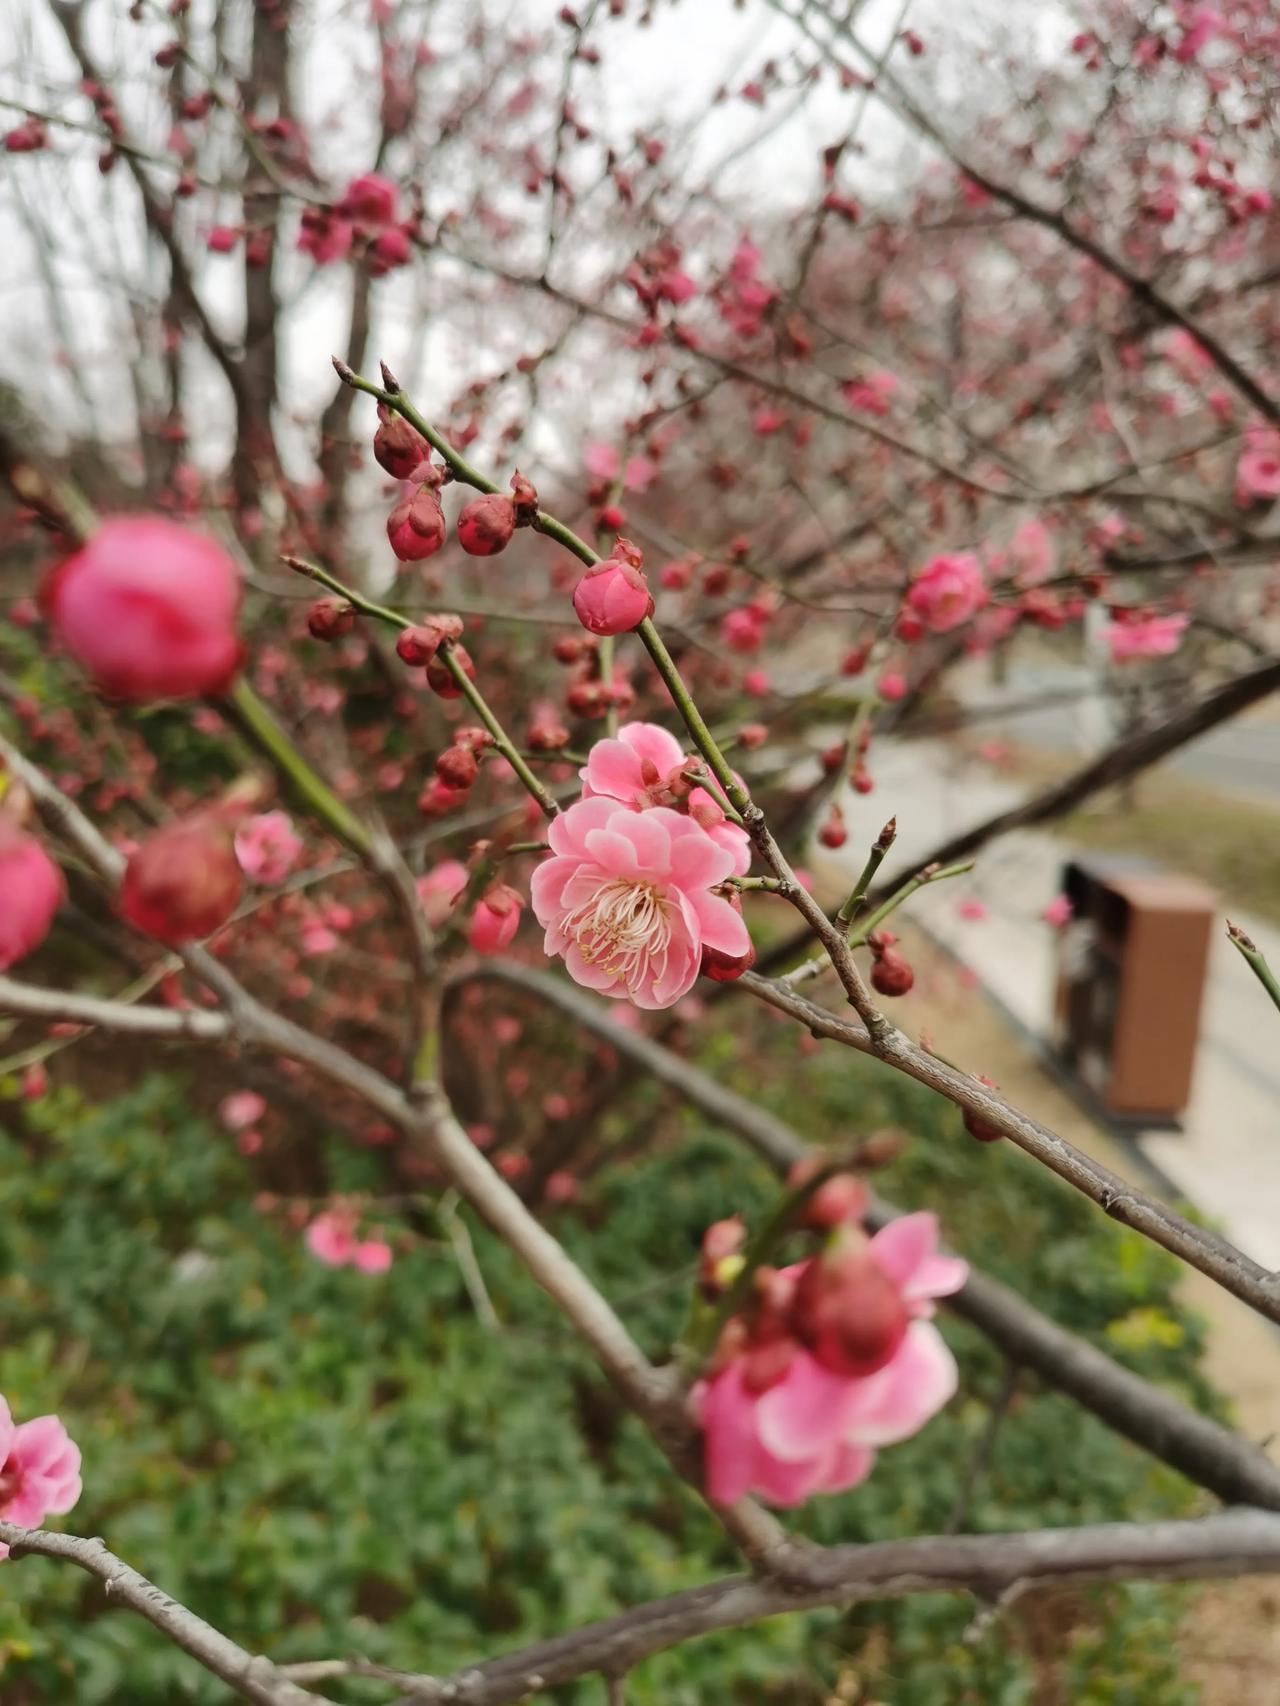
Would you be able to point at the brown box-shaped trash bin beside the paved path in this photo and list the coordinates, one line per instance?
(1131, 984)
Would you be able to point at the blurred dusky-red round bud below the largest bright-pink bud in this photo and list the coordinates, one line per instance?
(183, 883)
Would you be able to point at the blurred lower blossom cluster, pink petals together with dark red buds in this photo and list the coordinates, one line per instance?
(835, 1359)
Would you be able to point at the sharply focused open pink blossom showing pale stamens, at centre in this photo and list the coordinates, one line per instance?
(625, 900)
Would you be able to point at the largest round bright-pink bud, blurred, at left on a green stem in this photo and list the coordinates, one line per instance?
(148, 610)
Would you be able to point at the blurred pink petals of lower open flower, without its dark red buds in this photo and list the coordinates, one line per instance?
(813, 1430)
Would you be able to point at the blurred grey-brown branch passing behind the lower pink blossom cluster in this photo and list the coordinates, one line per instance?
(1199, 1448)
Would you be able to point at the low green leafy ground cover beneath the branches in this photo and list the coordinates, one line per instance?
(327, 1463)
